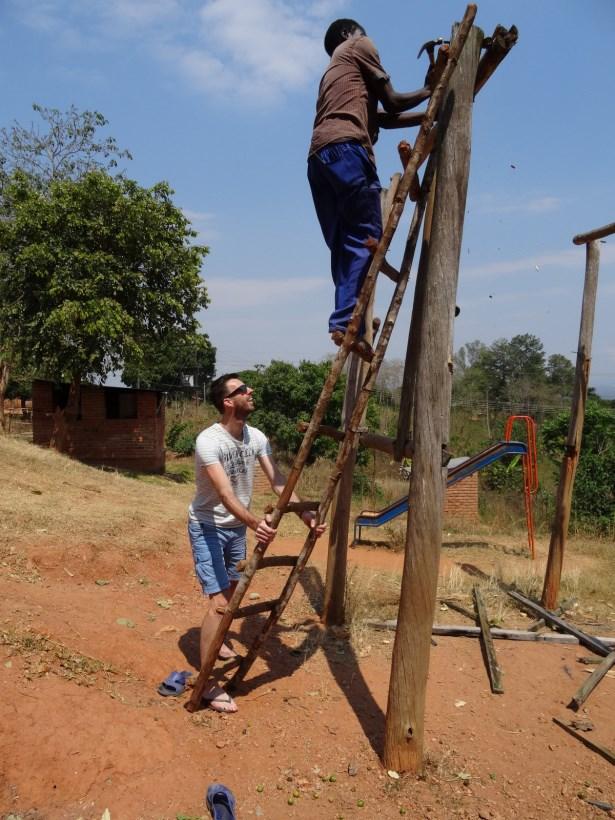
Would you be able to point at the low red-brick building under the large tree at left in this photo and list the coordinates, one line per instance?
(115, 426)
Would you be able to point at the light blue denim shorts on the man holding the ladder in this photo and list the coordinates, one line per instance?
(216, 552)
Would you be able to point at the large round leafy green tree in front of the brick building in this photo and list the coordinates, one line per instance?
(91, 268)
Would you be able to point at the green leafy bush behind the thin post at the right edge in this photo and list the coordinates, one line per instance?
(593, 499)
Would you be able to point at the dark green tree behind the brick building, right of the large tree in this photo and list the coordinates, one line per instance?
(169, 360)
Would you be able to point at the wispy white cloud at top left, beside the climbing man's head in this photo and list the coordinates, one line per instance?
(254, 51)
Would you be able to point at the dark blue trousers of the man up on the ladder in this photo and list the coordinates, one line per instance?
(346, 192)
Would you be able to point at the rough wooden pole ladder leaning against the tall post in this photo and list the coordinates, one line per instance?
(399, 195)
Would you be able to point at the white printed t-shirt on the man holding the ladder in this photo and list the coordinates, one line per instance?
(216, 445)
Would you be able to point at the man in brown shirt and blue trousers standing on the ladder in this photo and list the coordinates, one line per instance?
(341, 165)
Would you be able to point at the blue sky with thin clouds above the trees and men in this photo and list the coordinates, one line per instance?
(217, 97)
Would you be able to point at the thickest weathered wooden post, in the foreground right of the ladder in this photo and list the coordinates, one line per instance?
(403, 749)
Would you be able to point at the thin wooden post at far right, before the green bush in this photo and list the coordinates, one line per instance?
(559, 530)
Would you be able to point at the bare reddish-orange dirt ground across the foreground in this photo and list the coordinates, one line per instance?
(76, 742)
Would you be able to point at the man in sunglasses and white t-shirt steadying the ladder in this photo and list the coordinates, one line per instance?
(226, 454)
